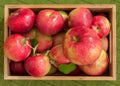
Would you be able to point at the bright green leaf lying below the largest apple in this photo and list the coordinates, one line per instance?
(67, 68)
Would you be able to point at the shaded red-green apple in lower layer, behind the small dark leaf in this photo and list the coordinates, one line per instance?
(44, 41)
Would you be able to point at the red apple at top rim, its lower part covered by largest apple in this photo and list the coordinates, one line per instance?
(80, 17)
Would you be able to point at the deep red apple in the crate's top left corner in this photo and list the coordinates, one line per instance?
(21, 20)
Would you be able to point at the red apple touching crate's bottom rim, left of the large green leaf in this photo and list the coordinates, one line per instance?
(37, 66)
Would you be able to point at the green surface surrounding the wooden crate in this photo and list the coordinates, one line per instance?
(57, 82)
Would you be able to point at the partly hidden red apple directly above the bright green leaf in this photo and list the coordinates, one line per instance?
(56, 54)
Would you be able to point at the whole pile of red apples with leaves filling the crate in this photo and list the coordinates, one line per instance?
(51, 40)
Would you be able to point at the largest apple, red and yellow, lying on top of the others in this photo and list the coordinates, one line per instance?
(82, 45)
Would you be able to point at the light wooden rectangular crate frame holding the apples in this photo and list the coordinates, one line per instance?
(110, 9)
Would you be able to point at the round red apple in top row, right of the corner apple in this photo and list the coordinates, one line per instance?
(49, 21)
